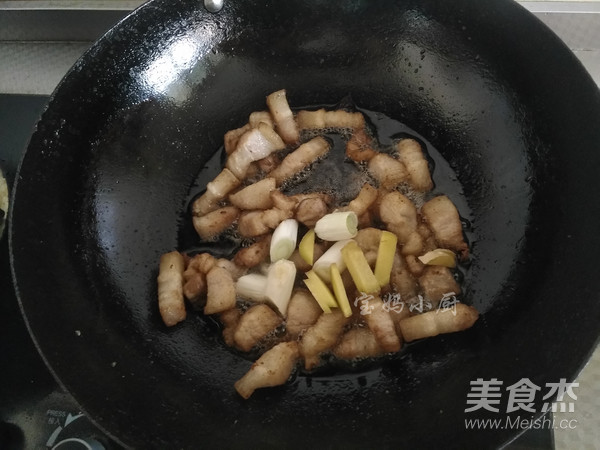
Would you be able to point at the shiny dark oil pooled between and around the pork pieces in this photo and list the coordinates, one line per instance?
(342, 179)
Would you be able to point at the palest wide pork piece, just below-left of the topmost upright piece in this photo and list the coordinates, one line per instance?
(258, 143)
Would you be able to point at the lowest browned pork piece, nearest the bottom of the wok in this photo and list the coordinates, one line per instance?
(273, 368)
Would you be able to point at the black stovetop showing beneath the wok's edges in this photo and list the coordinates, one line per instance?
(35, 411)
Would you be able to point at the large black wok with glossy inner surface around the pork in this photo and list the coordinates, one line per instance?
(102, 192)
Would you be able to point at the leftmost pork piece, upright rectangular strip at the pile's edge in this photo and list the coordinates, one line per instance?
(170, 288)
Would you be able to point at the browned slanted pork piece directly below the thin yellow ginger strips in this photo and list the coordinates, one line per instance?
(322, 336)
